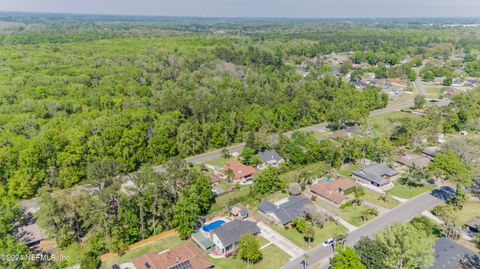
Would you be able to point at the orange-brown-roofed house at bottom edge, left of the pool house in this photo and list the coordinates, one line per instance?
(187, 256)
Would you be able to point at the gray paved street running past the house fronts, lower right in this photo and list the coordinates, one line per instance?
(401, 213)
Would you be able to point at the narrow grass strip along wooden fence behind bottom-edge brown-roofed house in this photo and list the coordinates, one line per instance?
(158, 246)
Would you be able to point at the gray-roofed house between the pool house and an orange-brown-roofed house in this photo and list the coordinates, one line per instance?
(285, 212)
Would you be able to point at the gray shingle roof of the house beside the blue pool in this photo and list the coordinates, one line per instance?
(230, 232)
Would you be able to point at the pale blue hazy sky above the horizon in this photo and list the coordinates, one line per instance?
(255, 8)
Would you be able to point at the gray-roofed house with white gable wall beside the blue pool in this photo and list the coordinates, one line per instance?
(226, 237)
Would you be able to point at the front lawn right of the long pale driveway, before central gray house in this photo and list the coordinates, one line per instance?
(321, 234)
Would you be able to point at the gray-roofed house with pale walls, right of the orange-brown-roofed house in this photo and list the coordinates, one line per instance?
(377, 174)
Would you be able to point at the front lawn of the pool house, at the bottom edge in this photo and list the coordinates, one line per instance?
(273, 258)
